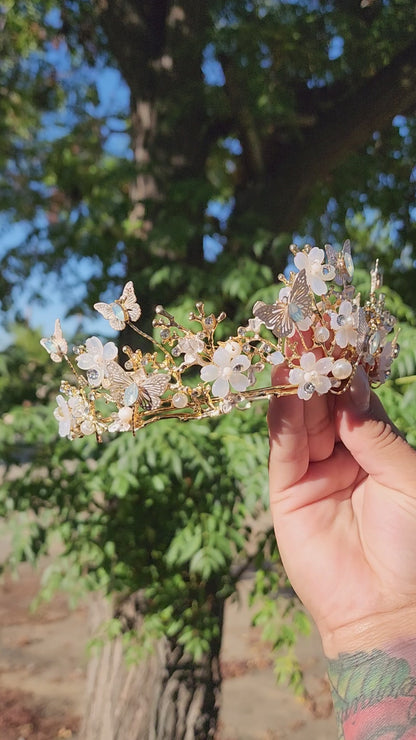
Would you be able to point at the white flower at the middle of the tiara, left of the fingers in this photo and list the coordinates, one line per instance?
(227, 369)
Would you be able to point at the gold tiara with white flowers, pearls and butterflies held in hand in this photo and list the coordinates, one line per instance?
(316, 330)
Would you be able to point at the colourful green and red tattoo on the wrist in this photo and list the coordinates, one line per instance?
(374, 693)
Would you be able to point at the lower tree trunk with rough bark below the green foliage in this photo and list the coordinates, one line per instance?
(167, 696)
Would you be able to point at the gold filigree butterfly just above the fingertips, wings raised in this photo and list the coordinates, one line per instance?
(282, 316)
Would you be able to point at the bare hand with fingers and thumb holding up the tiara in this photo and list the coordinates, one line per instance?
(343, 501)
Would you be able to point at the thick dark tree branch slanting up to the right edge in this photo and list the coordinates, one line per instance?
(345, 128)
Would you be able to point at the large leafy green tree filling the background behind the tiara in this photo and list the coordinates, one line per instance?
(292, 115)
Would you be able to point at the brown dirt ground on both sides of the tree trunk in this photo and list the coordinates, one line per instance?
(43, 661)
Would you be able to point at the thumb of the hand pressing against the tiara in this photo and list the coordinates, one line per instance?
(367, 432)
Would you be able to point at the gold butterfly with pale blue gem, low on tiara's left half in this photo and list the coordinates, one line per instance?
(128, 388)
